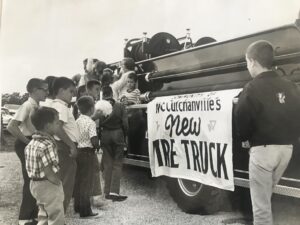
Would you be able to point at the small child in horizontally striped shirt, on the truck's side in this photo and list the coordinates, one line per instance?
(130, 95)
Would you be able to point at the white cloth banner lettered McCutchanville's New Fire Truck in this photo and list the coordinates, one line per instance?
(190, 137)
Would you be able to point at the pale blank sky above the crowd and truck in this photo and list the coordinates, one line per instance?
(41, 38)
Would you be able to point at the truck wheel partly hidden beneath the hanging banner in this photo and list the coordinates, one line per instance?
(193, 197)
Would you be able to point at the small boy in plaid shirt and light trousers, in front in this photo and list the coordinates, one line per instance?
(42, 167)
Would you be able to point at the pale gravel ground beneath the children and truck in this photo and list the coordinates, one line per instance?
(148, 200)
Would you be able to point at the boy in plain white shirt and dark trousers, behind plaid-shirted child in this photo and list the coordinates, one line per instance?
(67, 135)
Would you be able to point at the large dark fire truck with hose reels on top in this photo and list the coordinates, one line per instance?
(167, 66)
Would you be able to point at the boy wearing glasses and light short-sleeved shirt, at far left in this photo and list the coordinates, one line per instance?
(22, 129)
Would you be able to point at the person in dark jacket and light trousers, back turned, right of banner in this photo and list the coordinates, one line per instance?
(267, 118)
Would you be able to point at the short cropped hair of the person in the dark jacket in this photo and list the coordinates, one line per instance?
(262, 52)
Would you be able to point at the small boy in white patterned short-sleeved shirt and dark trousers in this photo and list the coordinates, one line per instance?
(87, 145)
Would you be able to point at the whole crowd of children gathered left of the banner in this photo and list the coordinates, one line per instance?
(57, 144)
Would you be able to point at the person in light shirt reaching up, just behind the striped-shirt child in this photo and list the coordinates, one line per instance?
(119, 86)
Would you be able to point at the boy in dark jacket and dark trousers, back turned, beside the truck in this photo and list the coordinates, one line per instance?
(114, 130)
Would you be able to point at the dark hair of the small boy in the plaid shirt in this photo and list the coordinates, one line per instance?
(42, 116)
